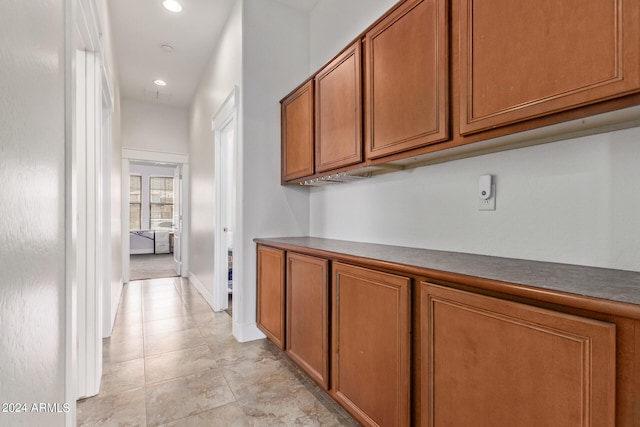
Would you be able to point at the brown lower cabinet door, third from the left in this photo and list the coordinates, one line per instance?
(371, 345)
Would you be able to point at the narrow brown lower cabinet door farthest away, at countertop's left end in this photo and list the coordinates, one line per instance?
(270, 294)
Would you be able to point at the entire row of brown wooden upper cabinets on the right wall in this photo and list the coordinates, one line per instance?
(433, 75)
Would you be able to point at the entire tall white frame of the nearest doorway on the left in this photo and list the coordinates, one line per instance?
(88, 97)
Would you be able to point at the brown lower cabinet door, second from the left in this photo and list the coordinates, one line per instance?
(308, 315)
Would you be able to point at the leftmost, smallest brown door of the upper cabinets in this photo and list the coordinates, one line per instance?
(297, 133)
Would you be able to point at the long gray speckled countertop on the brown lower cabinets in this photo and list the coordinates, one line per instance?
(614, 285)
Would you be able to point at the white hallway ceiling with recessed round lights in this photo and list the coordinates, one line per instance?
(141, 27)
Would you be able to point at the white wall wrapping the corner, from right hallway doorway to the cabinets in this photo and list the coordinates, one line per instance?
(263, 51)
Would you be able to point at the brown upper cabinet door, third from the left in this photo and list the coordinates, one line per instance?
(406, 90)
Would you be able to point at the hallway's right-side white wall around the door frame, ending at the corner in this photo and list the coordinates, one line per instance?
(223, 73)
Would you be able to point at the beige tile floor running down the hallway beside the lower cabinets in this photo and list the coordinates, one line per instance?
(172, 361)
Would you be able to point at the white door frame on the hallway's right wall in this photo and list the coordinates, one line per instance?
(227, 115)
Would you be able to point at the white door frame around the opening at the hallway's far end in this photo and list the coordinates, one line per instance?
(182, 160)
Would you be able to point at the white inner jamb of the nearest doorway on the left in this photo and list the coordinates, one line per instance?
(87, 196)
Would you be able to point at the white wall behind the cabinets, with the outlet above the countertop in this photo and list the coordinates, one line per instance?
(575, 201)
